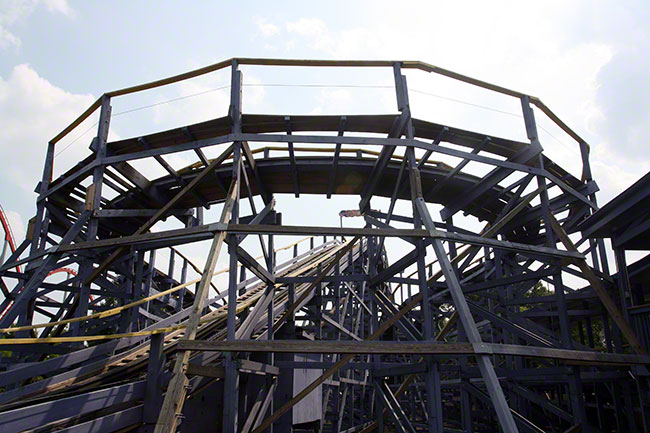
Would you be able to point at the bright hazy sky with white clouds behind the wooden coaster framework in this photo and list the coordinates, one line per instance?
(588, 61)
